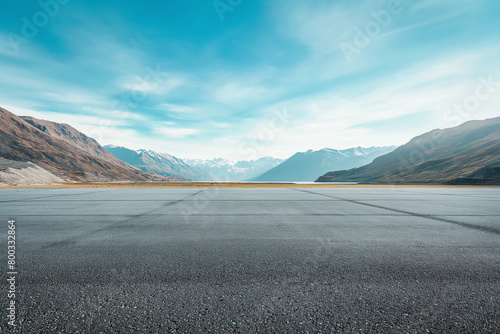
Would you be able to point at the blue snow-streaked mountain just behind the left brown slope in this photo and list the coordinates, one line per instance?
(159, 163)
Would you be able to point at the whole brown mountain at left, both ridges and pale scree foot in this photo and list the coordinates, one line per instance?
(60, 150)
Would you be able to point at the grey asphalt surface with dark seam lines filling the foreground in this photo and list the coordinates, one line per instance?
(254, 260)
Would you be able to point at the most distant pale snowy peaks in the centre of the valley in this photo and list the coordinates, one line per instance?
(225, 170)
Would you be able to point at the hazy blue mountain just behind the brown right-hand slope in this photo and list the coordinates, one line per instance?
(308, 166)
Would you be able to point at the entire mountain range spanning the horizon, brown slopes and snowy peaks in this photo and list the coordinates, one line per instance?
(38, 151)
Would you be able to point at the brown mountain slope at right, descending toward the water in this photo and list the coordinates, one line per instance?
(434, 157)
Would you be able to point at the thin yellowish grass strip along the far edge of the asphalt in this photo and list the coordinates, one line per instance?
(239, 185)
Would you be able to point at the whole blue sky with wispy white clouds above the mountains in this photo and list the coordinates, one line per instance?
(245, 79)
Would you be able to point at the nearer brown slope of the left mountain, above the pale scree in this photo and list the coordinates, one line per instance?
(21, 141)
